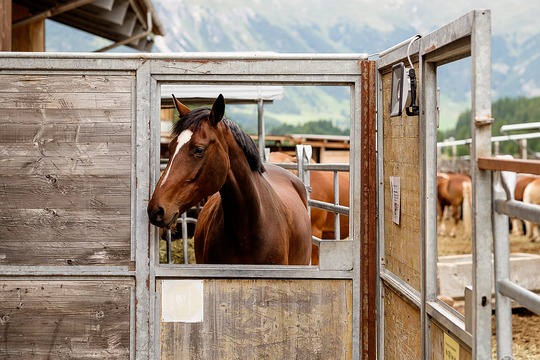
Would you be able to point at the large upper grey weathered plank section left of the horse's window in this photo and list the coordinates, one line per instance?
(65, 160)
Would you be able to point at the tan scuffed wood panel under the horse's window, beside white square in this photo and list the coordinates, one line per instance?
(266, 319)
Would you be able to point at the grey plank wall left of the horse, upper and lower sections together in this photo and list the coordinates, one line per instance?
(65, 199)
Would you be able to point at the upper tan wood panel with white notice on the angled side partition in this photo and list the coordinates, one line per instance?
(402, 252)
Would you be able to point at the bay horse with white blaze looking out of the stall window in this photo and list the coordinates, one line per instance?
(256, 214)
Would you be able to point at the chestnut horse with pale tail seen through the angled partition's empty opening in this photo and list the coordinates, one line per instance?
(454, 190)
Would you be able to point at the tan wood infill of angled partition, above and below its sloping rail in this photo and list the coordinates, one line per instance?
(402, 252)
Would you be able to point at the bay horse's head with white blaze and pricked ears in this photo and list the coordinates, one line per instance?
(198, 163)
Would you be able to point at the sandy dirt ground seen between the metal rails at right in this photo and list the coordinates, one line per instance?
(526, 325)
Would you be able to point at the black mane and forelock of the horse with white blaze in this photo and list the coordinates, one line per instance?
(197, 116)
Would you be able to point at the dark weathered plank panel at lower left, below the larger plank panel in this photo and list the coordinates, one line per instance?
(65, 319)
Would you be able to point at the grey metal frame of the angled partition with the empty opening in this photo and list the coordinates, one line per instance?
(470, 35)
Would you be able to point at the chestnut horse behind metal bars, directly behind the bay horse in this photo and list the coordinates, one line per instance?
(322, 189)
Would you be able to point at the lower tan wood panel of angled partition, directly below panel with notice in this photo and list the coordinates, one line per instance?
(402, 335)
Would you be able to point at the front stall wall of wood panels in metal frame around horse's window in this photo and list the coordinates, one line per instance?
(82, 138)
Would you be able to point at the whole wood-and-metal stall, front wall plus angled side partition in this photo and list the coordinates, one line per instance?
(79, 262)
